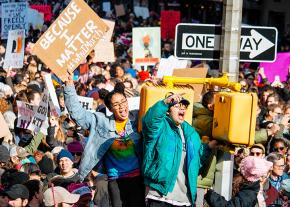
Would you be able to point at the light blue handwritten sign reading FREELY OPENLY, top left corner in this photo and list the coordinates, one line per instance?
(13, 16)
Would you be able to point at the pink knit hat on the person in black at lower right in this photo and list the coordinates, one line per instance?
(252, 168)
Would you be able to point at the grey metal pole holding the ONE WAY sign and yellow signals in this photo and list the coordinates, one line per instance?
(229, 63)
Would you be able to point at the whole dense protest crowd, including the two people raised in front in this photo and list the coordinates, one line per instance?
(91, 153)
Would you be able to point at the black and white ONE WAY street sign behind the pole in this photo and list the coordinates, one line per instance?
(202, 42)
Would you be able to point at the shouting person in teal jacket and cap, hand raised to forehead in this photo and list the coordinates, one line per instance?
(173, 154)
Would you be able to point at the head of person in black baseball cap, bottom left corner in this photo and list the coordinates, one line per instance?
(18, 195)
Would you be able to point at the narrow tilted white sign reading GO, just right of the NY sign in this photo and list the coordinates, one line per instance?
(39, 121)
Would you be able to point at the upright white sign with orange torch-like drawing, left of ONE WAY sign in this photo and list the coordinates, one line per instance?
(146, 45)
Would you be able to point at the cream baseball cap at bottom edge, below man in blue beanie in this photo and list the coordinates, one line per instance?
(56, 195)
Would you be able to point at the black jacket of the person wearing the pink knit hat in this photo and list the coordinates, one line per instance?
(246, 197)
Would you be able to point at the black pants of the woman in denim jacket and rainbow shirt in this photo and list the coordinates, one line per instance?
(127, 192)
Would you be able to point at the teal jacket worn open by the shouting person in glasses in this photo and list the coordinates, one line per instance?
(162, 147)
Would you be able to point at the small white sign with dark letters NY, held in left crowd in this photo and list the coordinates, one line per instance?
(25, 114)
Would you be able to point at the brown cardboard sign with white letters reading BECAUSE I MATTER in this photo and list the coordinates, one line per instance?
(70, 38)
